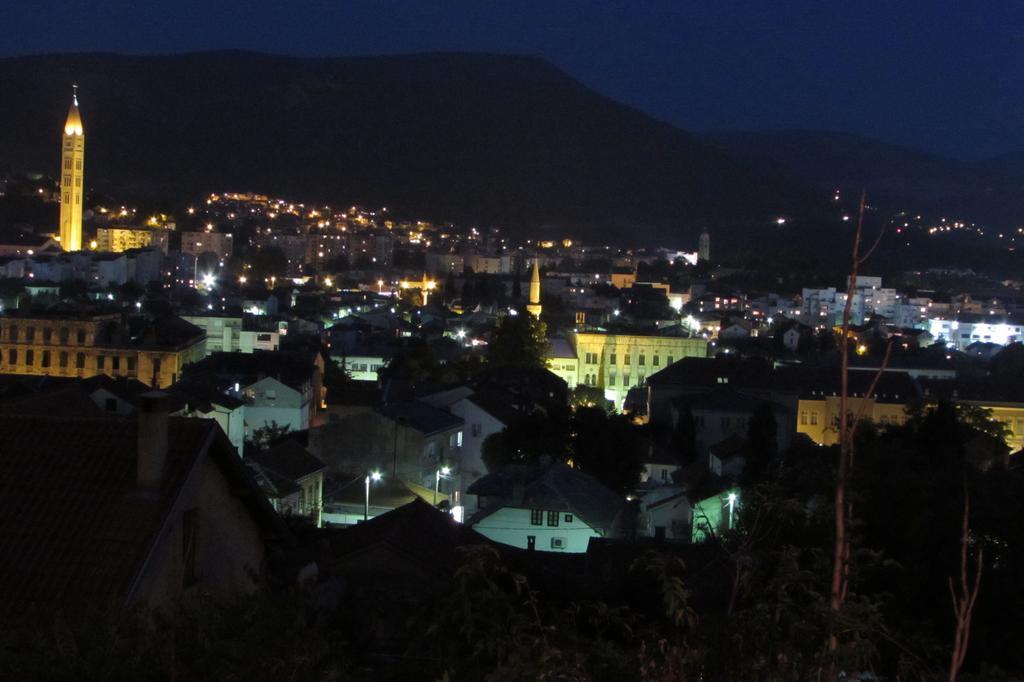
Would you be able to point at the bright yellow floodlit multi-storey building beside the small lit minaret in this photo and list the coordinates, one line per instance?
(618, 362)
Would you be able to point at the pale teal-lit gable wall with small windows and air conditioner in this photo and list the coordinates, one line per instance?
(515, 526)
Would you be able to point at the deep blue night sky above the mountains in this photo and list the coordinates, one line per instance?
(943, 76)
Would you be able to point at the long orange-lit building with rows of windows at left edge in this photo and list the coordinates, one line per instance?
(89, 346)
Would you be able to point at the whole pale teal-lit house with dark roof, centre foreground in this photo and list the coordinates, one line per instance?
(549, 508)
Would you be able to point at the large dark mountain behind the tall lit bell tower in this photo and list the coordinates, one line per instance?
(505, 141)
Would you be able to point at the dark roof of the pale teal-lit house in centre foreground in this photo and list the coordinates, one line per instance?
(557, 488)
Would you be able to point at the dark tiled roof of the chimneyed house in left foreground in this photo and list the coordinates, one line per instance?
(75, 528)
